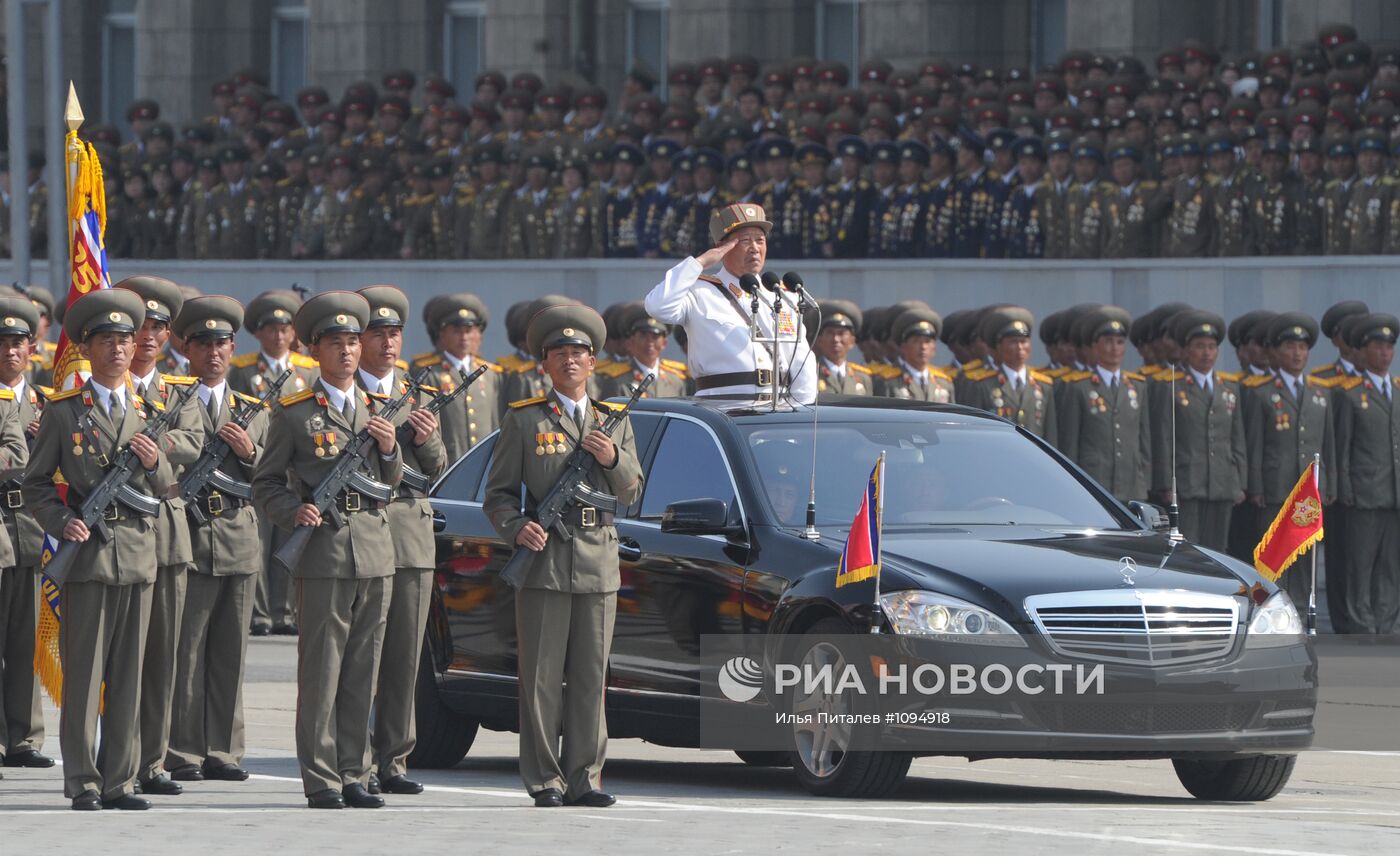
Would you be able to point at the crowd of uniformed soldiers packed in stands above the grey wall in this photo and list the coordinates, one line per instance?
(1280, 153)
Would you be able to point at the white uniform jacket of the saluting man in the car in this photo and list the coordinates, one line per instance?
(717, 331)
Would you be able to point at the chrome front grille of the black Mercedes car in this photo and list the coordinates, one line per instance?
(1137, 628)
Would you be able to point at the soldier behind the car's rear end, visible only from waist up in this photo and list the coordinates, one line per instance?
(458, 322)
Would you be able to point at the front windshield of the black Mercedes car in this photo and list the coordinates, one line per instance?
(937, 471)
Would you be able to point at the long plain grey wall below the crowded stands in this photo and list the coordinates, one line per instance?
(1230, 288)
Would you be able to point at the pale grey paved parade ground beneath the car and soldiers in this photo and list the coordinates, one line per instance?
(694, 802)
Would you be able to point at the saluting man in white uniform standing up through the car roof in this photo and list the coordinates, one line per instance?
(716, 315)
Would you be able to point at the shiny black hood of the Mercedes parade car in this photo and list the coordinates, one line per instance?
(1010, 564)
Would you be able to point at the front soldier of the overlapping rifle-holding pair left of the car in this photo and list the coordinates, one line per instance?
(344, 579)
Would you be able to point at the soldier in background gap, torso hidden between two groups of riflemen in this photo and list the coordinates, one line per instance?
(269, 320)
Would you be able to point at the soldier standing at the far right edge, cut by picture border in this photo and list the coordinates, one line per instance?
(1368, 480)
